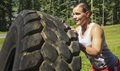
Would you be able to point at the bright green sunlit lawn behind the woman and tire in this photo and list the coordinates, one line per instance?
(112, 34)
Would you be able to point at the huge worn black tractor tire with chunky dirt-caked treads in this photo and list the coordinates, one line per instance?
(38, 41)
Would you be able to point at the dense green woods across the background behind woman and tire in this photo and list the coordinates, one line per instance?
(60, 8)
